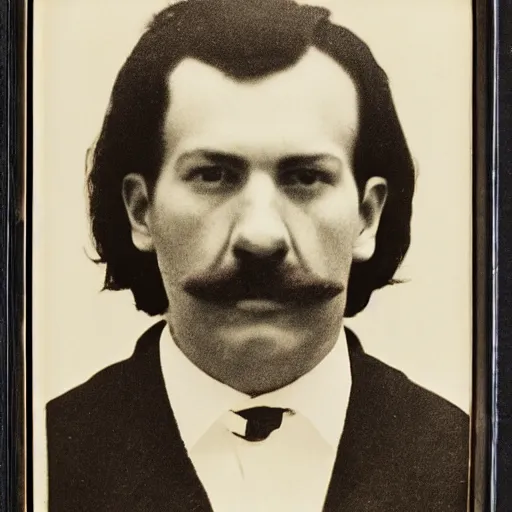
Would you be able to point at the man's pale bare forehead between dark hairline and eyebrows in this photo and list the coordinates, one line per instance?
(311, 106)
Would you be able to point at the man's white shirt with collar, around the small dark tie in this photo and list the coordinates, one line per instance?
(291, 469)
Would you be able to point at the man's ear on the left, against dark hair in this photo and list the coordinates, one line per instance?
(136, 201)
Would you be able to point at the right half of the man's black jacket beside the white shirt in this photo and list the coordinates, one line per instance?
(403, 447)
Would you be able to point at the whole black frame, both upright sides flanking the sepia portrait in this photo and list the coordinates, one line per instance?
(491, 462)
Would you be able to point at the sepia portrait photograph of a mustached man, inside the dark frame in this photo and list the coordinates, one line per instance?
(252, 255)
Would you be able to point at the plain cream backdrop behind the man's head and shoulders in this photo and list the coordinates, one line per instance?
(422, 327)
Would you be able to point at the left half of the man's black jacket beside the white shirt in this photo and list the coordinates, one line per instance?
(113, 443)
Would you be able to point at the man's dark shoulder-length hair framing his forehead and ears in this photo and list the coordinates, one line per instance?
(244, 39)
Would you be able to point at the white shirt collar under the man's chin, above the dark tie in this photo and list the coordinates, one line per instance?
(198, 400)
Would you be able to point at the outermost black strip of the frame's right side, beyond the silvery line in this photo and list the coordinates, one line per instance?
(502, 208)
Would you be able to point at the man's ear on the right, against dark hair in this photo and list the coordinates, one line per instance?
(370, 211)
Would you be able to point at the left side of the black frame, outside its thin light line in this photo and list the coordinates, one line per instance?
(13, 109)
